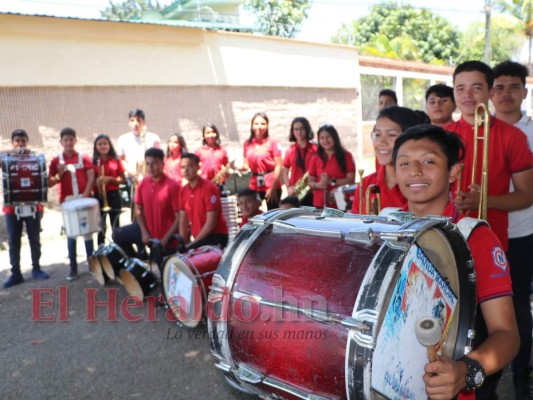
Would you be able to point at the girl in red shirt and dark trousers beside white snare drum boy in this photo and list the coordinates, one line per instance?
(109, 175)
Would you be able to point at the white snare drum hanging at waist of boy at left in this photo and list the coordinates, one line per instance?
(81, 217)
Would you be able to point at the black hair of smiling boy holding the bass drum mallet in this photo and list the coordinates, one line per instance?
(450, 143)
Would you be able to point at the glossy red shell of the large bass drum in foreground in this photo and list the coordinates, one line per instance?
(295, 268)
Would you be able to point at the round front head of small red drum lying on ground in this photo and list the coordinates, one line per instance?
(183, 292)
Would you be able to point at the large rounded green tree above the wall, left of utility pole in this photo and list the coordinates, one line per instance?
(436, 39)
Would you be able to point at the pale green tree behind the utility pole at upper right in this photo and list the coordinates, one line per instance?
(506, 40)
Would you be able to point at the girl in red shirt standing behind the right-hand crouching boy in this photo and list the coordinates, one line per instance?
(213, 157)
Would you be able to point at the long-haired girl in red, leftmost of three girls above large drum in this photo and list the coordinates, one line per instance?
(263, 157)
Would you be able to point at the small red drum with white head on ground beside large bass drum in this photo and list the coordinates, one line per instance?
(186, 280)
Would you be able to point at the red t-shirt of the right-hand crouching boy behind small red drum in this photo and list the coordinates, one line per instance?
(197, 201)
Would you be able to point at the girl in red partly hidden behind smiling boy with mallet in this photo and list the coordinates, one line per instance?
(391, 122)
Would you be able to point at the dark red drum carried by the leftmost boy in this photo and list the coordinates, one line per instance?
(24, 178)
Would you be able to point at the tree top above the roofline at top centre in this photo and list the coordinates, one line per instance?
(279, 17)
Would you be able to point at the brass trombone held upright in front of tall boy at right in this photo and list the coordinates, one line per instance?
(482, 117)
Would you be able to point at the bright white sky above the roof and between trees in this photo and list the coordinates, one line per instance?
(324, 19)
